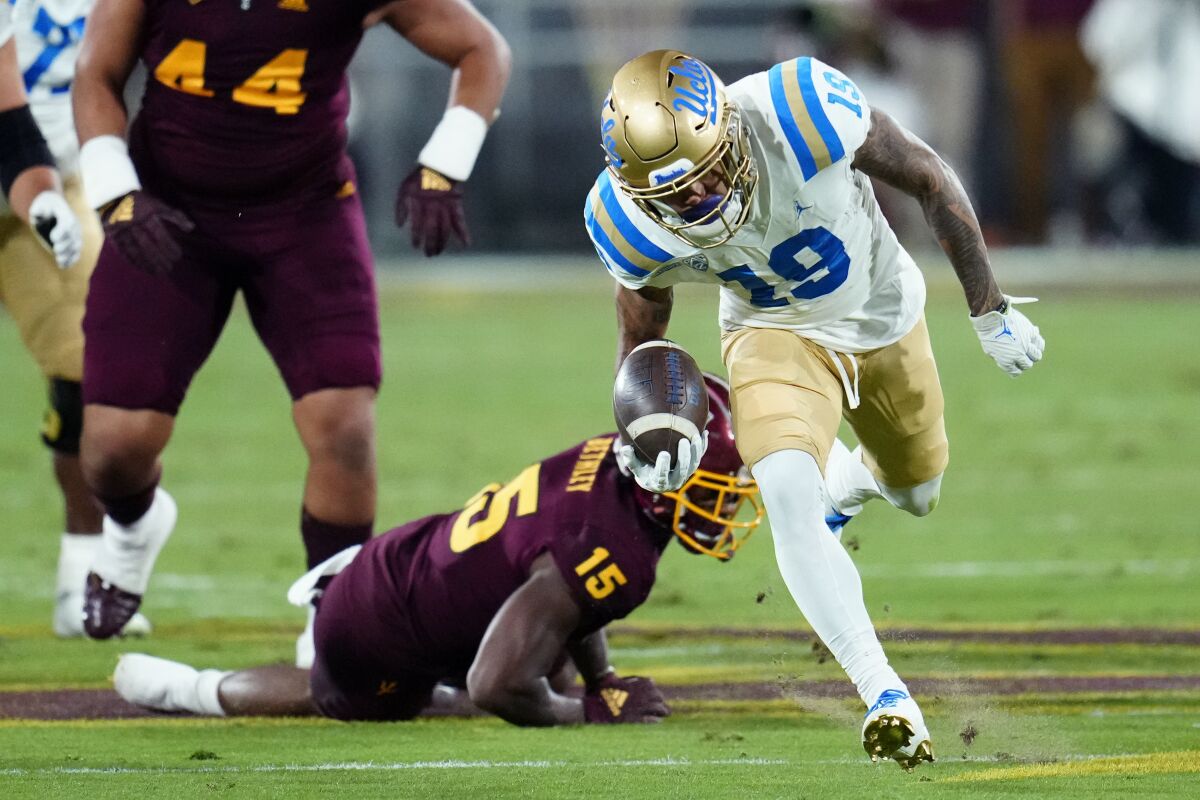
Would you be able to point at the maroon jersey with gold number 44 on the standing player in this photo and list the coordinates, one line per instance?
(247, 100)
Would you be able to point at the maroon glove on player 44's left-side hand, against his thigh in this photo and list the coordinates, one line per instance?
(146, 231)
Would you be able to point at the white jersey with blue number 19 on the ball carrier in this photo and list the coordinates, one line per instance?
(815, 255)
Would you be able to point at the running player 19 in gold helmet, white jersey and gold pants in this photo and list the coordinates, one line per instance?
(765, 190)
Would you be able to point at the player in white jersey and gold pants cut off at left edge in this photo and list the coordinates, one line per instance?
(45, 267)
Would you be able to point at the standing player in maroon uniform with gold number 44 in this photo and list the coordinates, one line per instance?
(236, 178)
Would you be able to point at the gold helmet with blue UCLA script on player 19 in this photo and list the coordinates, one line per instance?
(665, 127)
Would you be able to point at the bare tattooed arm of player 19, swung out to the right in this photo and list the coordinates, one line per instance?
(899, 159)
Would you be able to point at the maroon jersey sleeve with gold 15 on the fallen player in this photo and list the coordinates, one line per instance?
(608, 575)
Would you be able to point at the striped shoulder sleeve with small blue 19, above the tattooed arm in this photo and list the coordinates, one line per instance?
(823, 115)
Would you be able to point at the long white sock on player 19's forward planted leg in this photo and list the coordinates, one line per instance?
(819, 573)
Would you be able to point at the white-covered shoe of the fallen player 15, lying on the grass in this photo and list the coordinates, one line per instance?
(167, 685)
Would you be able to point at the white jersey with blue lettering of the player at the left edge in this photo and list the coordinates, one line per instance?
(49, 34)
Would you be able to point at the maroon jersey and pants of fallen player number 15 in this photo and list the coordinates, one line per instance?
(427, 592)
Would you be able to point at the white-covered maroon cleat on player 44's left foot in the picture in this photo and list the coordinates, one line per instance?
(122, 570)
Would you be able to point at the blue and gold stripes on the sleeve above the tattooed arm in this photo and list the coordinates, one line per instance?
(799, 107)
